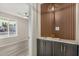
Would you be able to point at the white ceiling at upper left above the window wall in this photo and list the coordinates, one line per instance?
(17, 9)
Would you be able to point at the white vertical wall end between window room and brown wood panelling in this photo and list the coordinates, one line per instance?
(34, 30)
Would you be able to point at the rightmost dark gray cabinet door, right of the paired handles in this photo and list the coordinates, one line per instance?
(70, 50)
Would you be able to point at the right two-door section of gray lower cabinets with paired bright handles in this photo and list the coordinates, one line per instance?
(64, 49)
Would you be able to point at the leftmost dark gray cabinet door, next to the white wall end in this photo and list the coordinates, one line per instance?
(40, 47)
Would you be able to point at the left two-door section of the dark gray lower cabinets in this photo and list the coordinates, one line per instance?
(43, 48)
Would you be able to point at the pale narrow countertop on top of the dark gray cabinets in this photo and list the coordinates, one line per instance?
(59, 40)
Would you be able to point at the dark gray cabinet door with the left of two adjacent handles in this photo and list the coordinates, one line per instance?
(58, 48)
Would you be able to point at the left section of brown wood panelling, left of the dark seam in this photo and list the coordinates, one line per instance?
(47, 21)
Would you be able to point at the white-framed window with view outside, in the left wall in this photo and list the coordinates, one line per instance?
(8, 27)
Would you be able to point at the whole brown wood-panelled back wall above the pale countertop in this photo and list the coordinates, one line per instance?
(61, 15)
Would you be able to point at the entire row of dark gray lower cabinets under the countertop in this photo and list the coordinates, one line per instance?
(48, 48)
